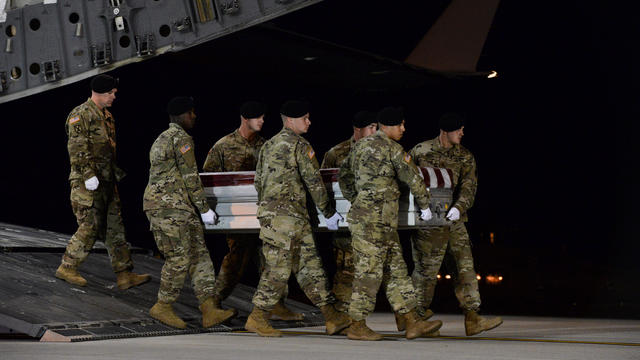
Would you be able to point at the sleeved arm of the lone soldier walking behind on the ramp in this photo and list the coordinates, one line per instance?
(78, 145)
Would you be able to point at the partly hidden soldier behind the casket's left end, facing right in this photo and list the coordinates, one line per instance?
(238, 151)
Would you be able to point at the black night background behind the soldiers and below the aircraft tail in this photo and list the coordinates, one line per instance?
(553, 135)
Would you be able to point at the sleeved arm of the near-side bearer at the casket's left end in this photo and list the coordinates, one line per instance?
(184, 153)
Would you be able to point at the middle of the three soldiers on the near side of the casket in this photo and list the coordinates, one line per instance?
(286, 166)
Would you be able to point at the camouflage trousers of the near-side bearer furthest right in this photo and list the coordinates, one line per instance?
(377, 256)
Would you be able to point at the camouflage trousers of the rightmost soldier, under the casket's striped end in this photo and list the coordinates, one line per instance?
(429, 248)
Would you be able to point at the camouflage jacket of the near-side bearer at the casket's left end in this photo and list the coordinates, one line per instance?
(174, 182)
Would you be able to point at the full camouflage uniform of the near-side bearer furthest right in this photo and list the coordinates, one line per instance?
(368, 179)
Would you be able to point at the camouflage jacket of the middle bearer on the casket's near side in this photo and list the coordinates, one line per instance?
(286, 166)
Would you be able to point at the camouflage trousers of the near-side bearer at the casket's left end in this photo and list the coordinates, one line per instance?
(180, 238)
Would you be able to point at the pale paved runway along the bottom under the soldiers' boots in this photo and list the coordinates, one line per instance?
(517, 338)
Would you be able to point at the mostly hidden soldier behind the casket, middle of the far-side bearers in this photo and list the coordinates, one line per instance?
(364, 124)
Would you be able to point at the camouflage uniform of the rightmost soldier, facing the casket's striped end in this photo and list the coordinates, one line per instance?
(430, 245)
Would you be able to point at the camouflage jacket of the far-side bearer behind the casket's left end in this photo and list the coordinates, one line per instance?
(234, 153)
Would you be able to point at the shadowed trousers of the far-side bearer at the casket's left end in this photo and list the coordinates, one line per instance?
(242, 248)
